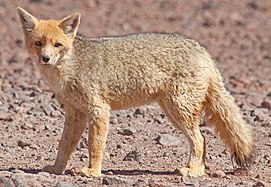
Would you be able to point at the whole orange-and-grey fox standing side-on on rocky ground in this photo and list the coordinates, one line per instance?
(92, 76)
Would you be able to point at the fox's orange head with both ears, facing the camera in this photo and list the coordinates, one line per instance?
(50, 40)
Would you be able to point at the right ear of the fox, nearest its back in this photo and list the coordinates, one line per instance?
(70, 24)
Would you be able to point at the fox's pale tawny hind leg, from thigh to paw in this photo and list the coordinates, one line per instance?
(186, 118)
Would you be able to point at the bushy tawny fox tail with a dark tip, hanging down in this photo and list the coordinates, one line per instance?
(222, 112)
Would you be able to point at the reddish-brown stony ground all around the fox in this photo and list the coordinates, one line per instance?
(143, 148)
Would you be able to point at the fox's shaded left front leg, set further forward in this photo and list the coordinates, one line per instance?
(75, 124)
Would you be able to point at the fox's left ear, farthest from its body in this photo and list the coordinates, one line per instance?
(27, 20)
